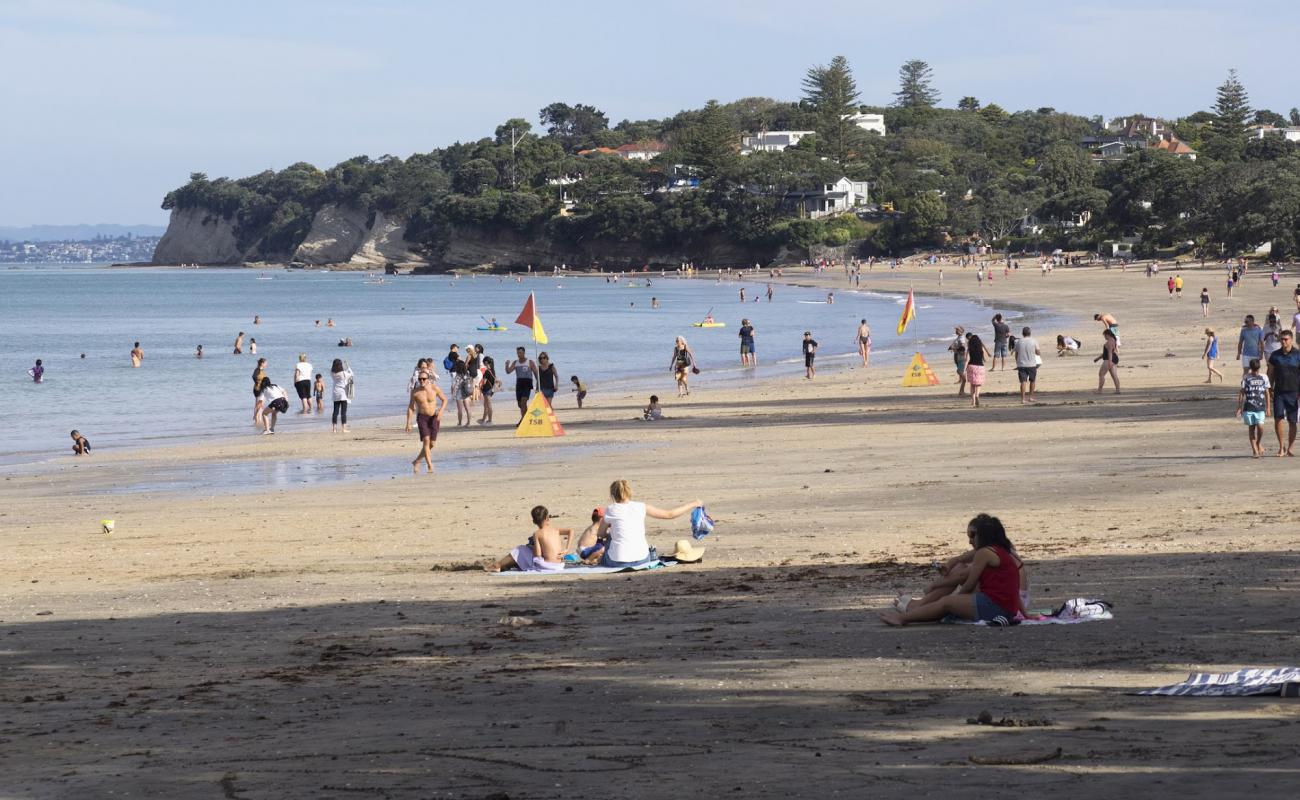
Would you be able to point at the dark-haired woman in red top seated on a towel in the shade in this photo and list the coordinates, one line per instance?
(982, 585)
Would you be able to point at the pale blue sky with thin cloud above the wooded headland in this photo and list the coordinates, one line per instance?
(111, 103)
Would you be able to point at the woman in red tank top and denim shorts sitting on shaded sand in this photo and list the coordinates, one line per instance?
(993, 586)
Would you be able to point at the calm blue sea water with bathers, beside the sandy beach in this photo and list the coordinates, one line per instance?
(84, 322)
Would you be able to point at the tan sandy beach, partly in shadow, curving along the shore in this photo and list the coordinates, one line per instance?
(343, 641)
